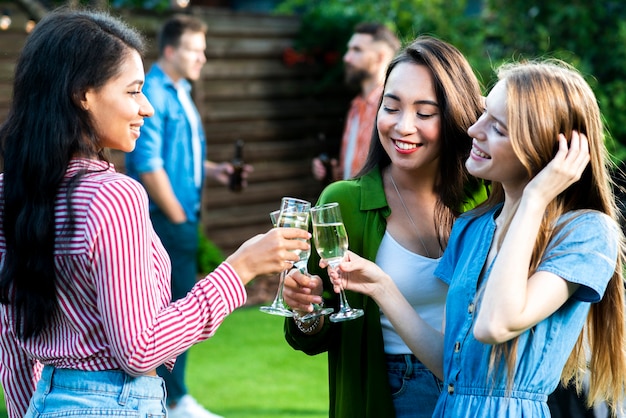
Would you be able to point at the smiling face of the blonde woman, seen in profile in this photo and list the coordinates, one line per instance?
(492, 156)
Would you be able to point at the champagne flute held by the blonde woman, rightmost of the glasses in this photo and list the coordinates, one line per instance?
(331, 243)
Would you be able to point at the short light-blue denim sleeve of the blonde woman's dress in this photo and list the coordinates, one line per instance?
(584, 252)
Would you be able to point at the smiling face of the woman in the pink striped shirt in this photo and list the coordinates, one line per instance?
(118, 108)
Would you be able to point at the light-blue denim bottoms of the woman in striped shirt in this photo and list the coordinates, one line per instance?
(113, 393)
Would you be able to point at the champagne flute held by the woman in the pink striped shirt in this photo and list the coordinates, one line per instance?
(293, 213)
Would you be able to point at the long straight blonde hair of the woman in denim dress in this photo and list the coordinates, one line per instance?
(546, 98)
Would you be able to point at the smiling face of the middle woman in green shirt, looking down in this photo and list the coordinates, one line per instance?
(409, 119)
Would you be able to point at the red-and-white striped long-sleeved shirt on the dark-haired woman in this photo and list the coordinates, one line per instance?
(113, 292)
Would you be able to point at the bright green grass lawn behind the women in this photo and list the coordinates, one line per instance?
(247, 370)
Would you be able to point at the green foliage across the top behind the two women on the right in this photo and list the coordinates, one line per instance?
(589, 35)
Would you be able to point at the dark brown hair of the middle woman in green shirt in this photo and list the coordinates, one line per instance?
(460, 104)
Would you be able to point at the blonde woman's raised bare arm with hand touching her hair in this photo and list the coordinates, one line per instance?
(513, 301)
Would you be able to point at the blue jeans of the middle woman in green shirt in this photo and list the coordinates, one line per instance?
(414, 388)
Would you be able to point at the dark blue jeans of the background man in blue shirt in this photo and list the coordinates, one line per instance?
(181, 243)
